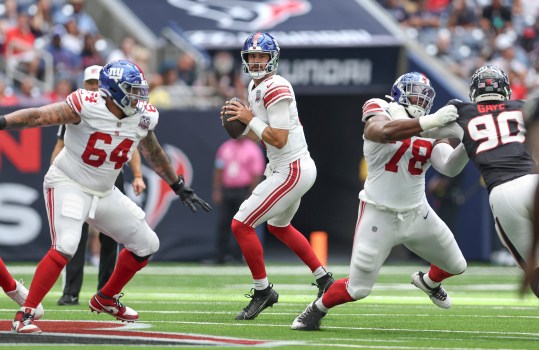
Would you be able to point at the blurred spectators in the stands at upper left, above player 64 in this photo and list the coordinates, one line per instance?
(46, 44)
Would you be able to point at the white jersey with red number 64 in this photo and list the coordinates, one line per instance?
(97, 147)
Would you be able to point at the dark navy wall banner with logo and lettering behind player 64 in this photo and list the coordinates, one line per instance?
(190, 140)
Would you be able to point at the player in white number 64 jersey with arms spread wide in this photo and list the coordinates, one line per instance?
(103, 129)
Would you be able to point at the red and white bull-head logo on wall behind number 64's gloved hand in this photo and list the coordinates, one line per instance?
(157, 198)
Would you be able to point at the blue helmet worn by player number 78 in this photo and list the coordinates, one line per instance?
(414, 92)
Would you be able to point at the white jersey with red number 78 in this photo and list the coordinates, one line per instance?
(396, 170)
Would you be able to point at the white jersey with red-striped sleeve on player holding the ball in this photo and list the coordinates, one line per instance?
(273, 89)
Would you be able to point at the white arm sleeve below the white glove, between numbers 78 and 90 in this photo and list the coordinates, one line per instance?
(447, 160)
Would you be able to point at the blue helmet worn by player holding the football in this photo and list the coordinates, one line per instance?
(260, 42)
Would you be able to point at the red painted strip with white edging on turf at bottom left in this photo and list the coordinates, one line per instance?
(83, 332)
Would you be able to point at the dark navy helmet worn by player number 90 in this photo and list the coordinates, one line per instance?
(489, 83)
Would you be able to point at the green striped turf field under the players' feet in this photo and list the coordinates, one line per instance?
(487, 312)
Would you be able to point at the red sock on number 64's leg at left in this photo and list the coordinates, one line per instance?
(47, 272)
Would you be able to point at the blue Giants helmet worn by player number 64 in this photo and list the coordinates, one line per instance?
(124, 82)
